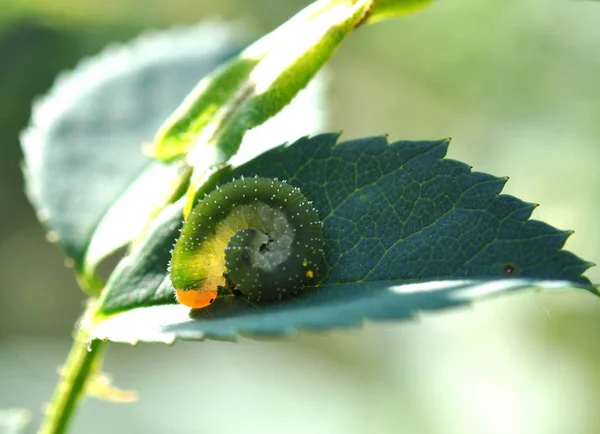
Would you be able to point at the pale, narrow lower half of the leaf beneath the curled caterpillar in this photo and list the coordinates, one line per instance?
(322, 308)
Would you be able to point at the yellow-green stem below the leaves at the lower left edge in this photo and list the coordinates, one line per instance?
(82, 361)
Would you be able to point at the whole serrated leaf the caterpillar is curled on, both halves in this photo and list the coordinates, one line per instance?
(393, 214)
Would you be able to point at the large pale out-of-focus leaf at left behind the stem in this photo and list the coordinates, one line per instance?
(83, 148)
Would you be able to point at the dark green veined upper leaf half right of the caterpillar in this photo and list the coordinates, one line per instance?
(401, 210)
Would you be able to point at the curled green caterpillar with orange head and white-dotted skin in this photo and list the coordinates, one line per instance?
(255, 237)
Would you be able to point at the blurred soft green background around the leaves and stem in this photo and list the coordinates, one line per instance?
(515, 83)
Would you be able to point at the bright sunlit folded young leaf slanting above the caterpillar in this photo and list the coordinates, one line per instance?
(257, 84)
